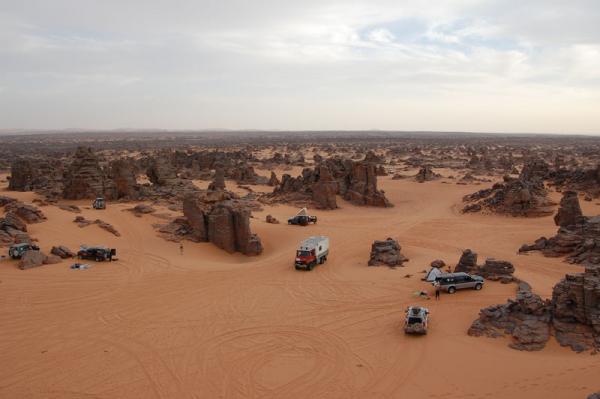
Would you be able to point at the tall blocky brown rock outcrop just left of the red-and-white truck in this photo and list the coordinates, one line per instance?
(215, 217)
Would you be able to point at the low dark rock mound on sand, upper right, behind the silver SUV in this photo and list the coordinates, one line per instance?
(515, 197)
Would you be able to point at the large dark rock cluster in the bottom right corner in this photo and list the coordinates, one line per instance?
(572, 316)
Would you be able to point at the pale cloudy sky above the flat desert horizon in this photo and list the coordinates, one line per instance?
(498, 66)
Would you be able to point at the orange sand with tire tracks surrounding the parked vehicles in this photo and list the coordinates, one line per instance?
(206, 324)
